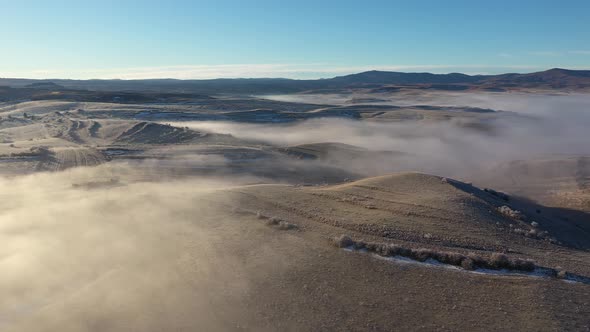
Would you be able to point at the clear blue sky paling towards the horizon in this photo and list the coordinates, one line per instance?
(295, 39)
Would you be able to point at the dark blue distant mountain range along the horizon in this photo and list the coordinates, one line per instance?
(373, 81)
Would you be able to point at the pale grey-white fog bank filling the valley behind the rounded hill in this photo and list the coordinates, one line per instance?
(530, 127)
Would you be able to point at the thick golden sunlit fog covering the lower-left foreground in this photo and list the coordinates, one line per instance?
(135, 256)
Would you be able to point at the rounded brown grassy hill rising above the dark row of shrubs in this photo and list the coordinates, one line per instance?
(421, 209)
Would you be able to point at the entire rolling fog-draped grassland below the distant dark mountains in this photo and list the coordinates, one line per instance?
(465, 210)
